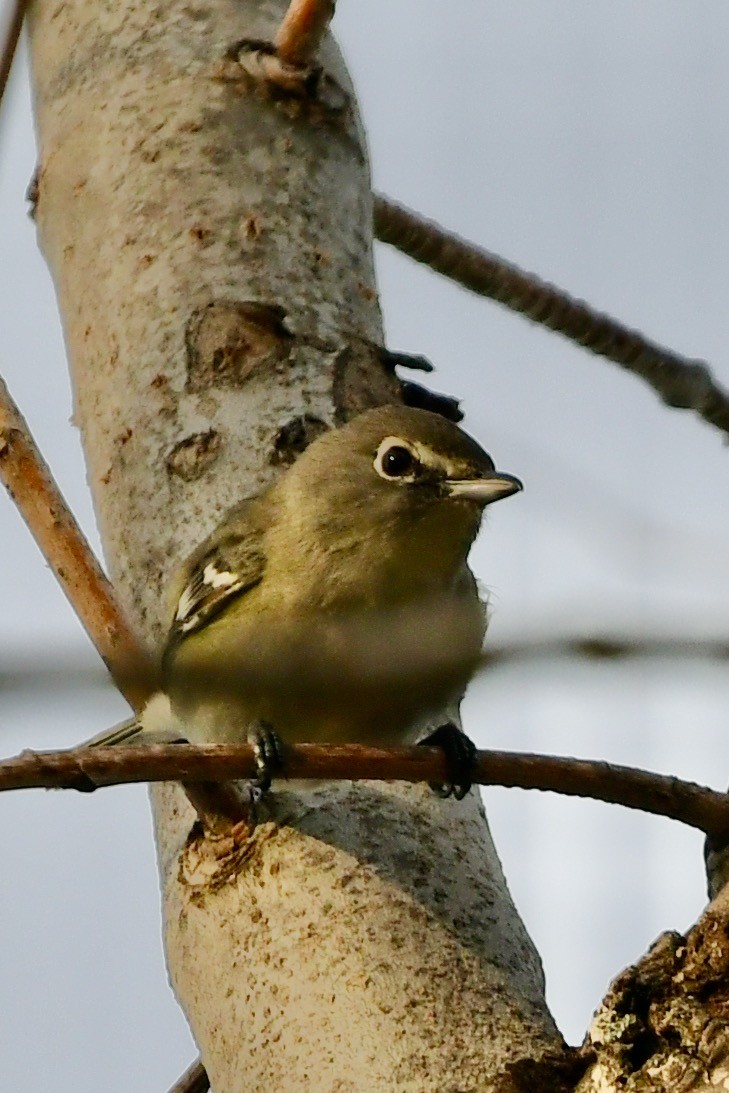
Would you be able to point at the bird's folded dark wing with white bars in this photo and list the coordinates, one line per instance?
(229, 563)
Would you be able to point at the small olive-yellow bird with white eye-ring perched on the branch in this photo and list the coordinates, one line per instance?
(337, 606)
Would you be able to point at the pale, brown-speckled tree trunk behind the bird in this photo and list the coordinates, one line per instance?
(209, 236)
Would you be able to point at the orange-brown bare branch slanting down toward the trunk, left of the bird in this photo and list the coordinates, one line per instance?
(31, 485)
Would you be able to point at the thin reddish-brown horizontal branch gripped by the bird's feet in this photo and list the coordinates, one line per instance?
(89, 769)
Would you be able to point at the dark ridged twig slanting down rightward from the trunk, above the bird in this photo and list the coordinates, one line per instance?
(680, 382)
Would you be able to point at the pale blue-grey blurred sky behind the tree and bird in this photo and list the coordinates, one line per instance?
(589, 144)
